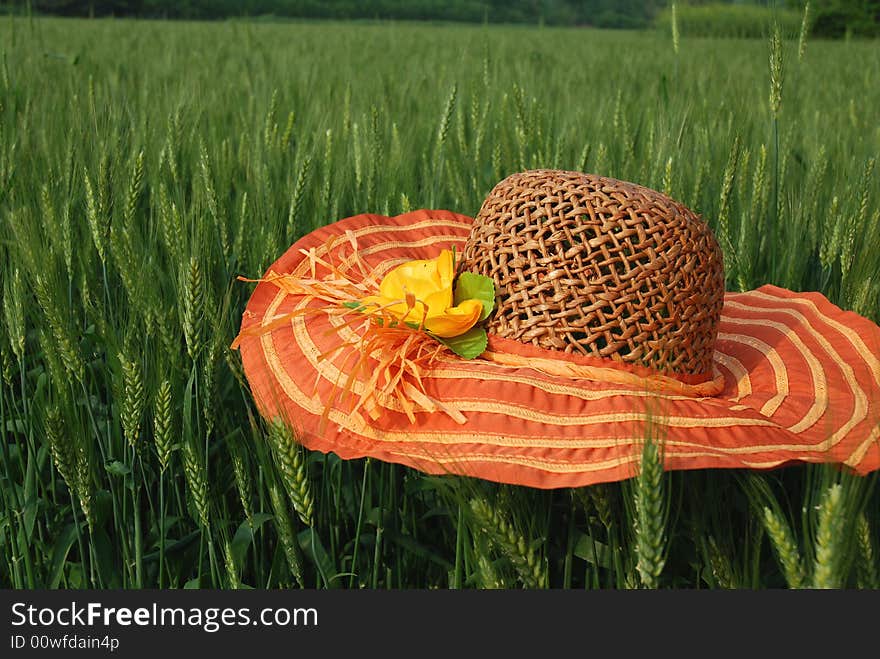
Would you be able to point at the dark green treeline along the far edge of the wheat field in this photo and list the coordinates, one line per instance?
(833, 18)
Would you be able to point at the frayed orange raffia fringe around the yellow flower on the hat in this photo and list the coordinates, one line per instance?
(388, 358)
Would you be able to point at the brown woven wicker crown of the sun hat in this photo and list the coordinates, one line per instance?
(602, 267)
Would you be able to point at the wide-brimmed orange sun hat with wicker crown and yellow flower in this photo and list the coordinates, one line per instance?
(610, 326)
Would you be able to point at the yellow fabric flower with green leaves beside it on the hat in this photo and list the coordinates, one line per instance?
(420, 292)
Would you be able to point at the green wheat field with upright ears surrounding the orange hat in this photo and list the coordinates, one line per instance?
(144, 165)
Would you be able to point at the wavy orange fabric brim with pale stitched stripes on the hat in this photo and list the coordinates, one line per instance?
(801, 383)
